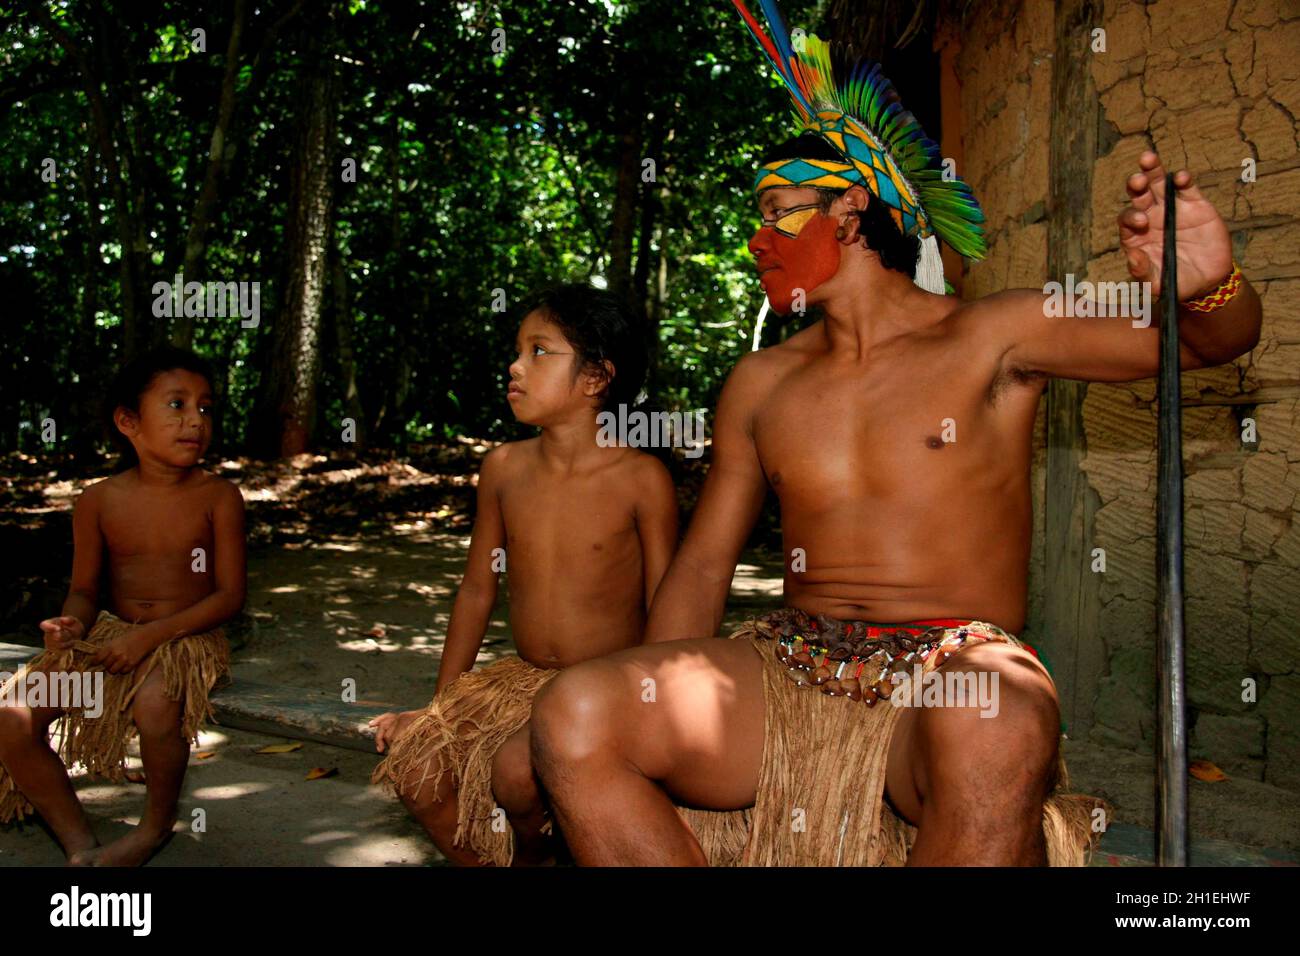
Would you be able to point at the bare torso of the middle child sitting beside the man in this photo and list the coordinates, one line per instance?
(575, 563)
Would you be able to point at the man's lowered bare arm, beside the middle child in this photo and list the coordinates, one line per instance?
(694, 594)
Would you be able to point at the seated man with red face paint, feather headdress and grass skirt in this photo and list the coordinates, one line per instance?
(851, 726)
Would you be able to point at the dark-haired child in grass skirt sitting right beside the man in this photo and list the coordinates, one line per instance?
(588, 533)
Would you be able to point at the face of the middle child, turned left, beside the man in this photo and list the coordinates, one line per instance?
(541, 379)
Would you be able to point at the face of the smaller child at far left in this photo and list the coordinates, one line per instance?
(175, 422)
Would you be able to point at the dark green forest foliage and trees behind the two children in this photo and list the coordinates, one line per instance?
(391, 176)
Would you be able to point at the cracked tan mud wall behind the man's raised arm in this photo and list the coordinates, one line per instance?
(1208, 84)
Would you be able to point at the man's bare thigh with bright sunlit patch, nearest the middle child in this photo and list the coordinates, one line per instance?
(690, 715)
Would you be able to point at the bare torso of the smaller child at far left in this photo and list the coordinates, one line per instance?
(158, 544)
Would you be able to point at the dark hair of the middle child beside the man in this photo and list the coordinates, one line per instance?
(601, 328)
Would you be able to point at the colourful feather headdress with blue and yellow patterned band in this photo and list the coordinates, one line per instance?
(883, 146)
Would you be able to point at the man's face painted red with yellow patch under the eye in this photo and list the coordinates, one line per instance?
(795, 250)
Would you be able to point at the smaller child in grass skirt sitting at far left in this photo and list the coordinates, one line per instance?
(171, 539)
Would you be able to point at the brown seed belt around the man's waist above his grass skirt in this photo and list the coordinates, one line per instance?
(857, 659)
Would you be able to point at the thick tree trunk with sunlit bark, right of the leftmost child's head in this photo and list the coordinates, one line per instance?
(291, 387)
